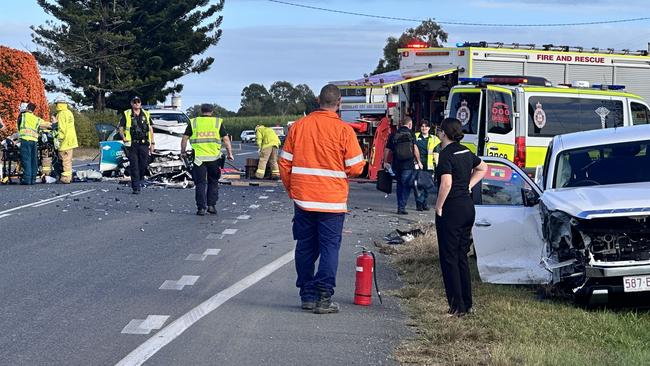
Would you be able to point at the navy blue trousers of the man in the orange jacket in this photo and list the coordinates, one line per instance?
(318, 235)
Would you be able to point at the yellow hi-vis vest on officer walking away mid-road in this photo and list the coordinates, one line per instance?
(205, 139)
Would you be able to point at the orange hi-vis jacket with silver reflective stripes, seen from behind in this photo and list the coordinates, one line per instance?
(318, 156)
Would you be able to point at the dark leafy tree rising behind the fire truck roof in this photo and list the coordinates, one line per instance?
(428, 32)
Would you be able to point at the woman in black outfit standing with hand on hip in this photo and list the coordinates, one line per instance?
(457, 172)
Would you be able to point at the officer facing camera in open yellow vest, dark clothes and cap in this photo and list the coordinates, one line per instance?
(137, 135)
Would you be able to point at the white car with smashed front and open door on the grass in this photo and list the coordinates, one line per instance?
(583, 225)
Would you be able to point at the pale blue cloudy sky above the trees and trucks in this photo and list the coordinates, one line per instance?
(264, 41)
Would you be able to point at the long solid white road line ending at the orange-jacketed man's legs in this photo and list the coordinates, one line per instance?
(166, 335)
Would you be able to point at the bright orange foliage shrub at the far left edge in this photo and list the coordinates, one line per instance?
(20, 81)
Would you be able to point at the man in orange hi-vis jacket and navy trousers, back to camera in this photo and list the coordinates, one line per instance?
(318, 156)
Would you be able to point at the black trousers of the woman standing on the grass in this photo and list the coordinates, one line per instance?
(454, 230)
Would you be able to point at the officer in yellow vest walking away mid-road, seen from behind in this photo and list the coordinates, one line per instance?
(205, 133)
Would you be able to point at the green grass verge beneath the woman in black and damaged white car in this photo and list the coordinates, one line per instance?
(511, 326)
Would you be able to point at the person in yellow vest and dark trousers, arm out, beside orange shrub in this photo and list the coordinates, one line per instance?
(28, 126)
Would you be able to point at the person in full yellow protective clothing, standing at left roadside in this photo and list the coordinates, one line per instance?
(66, 138)
